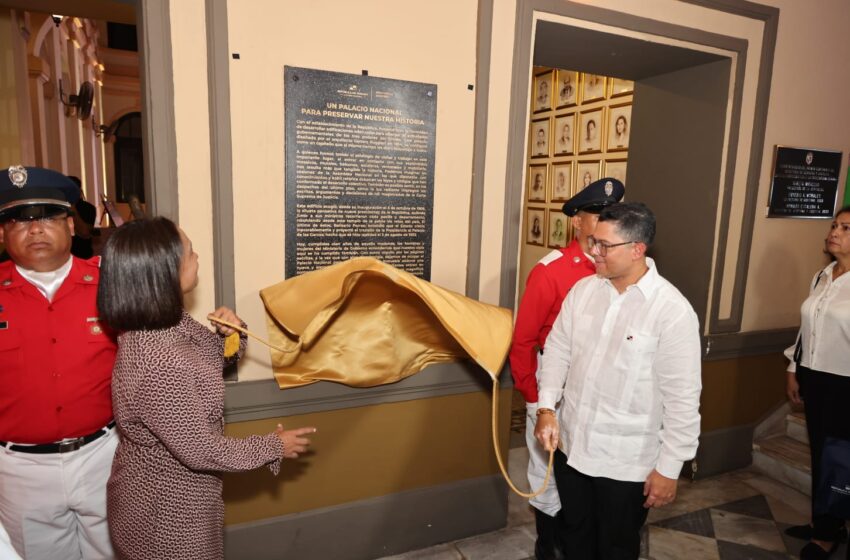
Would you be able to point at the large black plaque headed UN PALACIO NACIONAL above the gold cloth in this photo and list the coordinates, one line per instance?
(359, 170)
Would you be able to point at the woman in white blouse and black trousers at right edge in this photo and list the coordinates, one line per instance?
(819, 375)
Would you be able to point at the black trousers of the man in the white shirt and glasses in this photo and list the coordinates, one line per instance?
(601, 517)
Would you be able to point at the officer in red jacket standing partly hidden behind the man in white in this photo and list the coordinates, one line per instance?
(547, 286)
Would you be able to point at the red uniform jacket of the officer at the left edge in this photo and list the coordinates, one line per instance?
(55, 358)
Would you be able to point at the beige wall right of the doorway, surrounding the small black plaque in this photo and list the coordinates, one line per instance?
(808, 108)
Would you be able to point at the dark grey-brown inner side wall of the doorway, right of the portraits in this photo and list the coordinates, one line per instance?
(678, 123)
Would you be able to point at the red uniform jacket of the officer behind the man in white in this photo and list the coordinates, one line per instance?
(547, 286)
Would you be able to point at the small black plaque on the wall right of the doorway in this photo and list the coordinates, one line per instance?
(804, 183)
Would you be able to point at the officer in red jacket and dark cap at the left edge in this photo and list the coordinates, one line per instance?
(57, 435)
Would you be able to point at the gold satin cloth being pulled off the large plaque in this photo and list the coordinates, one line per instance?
(364, 323)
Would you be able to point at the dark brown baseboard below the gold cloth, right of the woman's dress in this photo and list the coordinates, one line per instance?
(376, 527)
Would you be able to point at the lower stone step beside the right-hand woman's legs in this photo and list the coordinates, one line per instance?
(786, 460)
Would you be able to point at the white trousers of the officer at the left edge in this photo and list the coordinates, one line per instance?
(53, 505)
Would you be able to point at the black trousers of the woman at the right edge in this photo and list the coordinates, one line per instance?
(827, 400)
